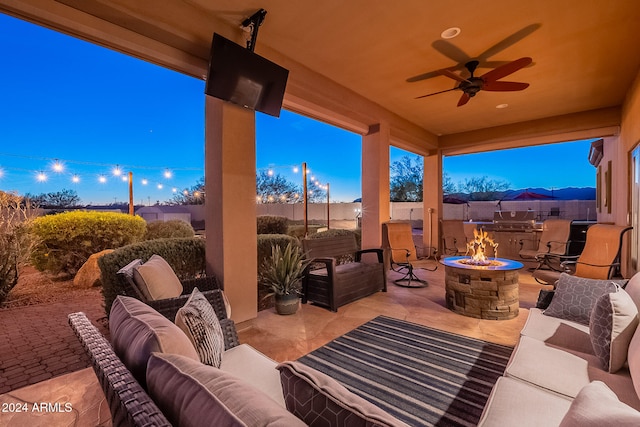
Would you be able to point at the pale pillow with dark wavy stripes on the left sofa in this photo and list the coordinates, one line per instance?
(198, 320)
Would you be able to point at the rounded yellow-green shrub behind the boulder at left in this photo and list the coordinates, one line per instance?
(66, 240)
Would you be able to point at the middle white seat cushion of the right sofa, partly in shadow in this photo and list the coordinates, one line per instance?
(564, 371)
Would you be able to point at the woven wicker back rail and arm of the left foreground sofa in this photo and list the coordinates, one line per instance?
(129, 403)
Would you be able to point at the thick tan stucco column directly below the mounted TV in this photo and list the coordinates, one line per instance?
(230, 218)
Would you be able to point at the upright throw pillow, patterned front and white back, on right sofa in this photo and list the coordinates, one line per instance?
(613, 322)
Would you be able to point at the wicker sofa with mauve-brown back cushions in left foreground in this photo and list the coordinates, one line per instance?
(152, 375)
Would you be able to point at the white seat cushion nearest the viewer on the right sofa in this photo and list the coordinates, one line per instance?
(535, 406)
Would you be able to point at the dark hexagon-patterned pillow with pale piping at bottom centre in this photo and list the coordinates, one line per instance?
(318, 399)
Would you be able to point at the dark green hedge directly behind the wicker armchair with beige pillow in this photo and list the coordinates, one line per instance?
(185, 255)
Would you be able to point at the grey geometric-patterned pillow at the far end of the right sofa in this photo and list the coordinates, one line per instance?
(575, 296)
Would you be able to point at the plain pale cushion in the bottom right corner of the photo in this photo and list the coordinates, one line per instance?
(596, 406)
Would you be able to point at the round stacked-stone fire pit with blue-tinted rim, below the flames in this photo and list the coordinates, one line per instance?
(482, 291)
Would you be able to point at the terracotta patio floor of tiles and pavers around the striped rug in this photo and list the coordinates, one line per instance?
(37, 345)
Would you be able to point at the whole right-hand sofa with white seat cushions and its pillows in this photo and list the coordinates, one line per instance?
(577, 363)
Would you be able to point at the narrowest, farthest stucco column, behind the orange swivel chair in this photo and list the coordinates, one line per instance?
(432, 202)
